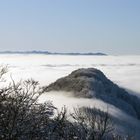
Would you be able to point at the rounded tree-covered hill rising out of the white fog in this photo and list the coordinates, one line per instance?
(92, 83)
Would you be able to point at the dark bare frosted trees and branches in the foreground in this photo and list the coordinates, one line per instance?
(22, 117)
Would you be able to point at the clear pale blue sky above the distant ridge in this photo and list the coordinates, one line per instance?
(110, 26)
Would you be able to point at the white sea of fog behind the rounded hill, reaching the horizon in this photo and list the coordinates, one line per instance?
(123, 70)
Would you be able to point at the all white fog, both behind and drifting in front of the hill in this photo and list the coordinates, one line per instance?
(122, 70)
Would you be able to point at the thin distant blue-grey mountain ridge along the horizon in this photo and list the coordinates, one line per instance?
(49, 53)
